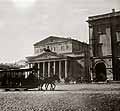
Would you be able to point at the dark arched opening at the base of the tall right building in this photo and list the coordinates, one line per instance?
(100, 70)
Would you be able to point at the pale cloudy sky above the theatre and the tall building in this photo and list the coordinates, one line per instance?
(25, 22)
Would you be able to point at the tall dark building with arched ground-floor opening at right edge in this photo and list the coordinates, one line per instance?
(104, 39)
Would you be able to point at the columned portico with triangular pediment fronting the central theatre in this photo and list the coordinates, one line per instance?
(49, 63)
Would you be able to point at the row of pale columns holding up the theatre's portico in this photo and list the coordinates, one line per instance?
(54, 68)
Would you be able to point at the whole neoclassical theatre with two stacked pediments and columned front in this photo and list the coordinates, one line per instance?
(66, 57)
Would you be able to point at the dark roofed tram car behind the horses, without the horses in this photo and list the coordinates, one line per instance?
(18, 78)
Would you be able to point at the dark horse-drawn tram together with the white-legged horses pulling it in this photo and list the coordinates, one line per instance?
(26, 79)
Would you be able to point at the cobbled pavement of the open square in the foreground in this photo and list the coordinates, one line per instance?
(72, 97)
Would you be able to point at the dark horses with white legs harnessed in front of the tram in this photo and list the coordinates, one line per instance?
(48, 81)
